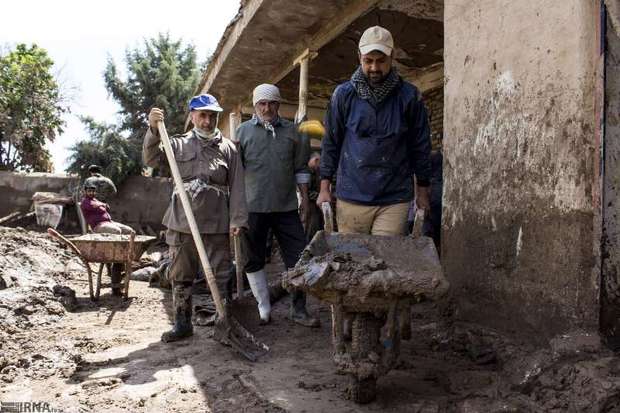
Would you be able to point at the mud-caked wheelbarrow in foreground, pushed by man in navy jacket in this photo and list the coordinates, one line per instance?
(372, 281)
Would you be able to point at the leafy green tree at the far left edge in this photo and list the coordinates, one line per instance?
(31, 109)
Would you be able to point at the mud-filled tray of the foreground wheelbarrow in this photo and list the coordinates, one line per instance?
(368, 273)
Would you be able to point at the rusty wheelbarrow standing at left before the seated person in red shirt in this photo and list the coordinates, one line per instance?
(106, 249)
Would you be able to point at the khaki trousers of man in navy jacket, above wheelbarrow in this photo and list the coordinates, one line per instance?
(374, 220)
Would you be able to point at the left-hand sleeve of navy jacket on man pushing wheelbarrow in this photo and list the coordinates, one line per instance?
(334, 135)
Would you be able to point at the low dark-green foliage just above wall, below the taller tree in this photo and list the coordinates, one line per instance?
(106, 146)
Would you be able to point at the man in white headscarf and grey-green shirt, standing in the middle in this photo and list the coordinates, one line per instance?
(275, 158)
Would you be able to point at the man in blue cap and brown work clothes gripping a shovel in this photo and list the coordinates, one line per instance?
(212, 176)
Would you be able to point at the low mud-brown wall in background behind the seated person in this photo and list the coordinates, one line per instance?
(141, 201)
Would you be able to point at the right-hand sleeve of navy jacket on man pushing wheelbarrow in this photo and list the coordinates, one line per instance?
(420, 142)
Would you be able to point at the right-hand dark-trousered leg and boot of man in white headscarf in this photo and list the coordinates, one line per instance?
(289, 232)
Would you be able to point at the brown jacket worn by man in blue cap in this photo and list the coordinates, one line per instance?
(212, 174)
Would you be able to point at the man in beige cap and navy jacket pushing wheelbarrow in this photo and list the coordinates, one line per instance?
(377, 141)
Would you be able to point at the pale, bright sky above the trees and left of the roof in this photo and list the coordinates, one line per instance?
(80, 36)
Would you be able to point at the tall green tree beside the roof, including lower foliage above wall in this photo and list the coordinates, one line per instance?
(163, 73)
